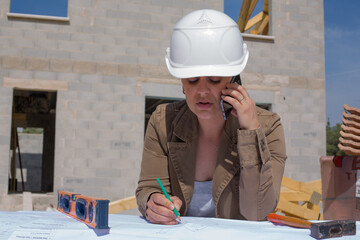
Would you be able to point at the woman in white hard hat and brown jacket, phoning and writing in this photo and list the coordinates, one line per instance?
(210, 166)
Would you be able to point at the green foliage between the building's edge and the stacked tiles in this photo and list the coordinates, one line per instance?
(332, 140)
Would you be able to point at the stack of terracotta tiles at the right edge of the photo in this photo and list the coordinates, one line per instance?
(350, 133)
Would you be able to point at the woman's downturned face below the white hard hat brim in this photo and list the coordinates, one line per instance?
(203, 95)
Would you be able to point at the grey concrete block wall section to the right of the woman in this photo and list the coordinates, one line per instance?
(292, 66)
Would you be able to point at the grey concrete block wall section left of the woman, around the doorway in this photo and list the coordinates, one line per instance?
(104, 54)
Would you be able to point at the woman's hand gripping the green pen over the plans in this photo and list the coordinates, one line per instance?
(160, 209)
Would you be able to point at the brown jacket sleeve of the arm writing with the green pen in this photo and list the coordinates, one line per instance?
(154, 163)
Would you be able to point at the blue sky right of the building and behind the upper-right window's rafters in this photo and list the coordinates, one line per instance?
(342, 53)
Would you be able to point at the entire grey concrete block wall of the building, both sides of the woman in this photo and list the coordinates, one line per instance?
(111, 55)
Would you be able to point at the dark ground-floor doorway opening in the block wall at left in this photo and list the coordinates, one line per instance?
(32, 141)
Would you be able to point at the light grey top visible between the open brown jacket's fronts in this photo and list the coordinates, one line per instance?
(202, 203)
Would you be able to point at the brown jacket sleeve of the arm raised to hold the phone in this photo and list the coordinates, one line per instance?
(262, 158)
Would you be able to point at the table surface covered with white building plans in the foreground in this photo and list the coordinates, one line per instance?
(56, 225)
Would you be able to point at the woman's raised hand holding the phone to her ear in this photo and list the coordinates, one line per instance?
(244, 108)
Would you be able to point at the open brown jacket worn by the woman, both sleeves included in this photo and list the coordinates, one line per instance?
(249, 170)
